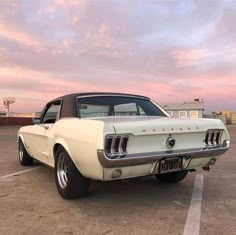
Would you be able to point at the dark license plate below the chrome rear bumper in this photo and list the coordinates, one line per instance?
(170, 164)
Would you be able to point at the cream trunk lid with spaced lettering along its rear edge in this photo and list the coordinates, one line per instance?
(142, 125)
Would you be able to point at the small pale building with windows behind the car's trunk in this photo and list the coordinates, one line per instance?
(192, 109)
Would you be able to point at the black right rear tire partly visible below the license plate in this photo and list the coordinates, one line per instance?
(172, 177)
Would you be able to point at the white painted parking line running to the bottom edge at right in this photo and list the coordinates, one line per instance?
(192, 225)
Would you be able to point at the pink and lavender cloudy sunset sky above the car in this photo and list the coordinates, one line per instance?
(169, 50)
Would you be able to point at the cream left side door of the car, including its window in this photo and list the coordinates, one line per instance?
(38, 144)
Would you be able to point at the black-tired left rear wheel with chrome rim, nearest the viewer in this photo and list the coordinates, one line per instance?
(69, 181)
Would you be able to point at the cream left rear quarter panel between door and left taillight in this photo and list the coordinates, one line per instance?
(81, 139)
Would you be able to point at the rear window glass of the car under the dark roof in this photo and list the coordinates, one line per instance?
(103, 106)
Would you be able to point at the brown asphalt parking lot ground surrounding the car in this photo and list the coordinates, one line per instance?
(30, 204)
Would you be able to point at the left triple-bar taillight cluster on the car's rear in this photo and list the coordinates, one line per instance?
(116, 145)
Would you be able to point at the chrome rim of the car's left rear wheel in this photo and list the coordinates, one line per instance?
(62, 170)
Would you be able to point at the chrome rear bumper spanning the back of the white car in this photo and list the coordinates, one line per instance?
(144, 158)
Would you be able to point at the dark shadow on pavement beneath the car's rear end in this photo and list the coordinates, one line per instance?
(145, 191)
